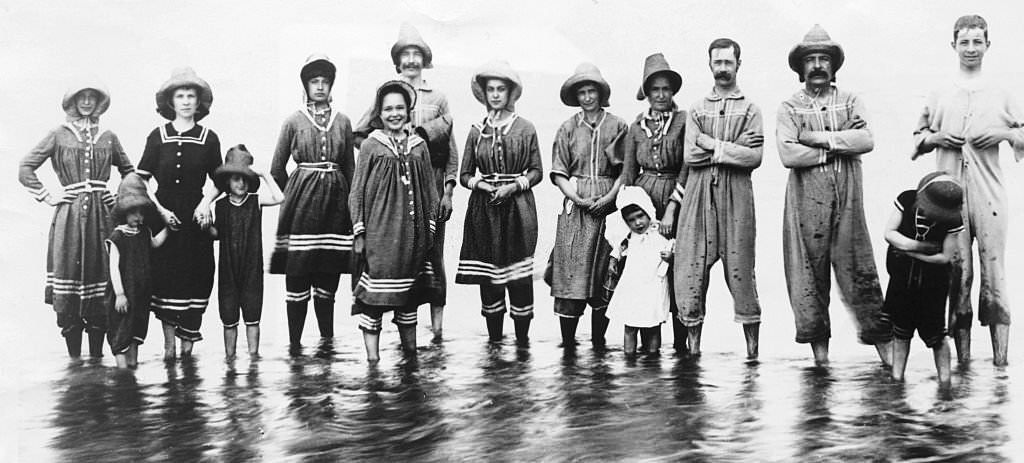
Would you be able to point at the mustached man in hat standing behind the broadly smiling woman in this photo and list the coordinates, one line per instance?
(433, 122)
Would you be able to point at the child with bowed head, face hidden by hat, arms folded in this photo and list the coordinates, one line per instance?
(922, 236)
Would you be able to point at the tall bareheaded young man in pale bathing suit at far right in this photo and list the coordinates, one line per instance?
(964, 124)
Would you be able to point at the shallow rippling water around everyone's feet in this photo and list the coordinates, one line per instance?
(464, 400)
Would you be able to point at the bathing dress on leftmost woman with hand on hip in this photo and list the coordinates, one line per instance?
(76, 261)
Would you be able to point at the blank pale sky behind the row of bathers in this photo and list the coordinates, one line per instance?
(250, 53)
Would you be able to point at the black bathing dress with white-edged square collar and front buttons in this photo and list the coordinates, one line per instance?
(184, 267)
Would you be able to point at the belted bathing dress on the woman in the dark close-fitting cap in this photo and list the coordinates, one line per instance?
(315, 228)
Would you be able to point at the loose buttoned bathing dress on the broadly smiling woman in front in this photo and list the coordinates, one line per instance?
(394, 203)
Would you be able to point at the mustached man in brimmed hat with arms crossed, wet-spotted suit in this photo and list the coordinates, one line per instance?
(822, 135)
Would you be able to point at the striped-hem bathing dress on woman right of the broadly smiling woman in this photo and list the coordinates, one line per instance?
(499, 240)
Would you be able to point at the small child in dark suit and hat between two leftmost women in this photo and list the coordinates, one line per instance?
(131, 287)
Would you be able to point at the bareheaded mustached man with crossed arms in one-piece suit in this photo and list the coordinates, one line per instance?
(723, 144)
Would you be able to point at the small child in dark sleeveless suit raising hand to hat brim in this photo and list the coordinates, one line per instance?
(238, 224)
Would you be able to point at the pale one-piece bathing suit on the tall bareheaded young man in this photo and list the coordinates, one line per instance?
(968, 111)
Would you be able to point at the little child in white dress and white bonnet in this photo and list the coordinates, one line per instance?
(637, 286)
